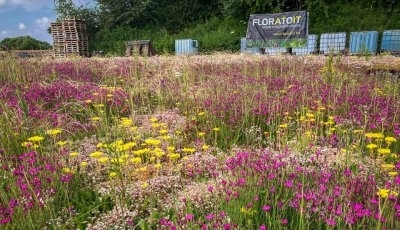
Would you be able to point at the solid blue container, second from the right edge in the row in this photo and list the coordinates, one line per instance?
(363, 42)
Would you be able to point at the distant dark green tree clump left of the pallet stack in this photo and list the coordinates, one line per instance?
(24, 43)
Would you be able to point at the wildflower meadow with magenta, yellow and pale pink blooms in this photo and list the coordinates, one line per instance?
(221, 141)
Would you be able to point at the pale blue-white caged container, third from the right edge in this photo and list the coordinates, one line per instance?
(332, 43)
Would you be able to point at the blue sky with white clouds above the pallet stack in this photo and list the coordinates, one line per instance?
(29, 17)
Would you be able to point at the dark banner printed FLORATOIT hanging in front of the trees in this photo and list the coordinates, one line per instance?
(288, 29)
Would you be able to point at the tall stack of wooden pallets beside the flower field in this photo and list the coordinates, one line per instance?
(70, 38)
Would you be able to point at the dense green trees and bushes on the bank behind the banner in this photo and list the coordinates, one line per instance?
(217, 24)
